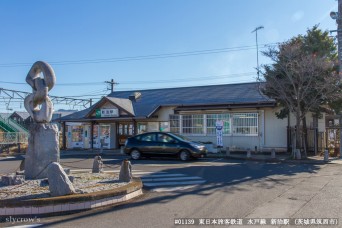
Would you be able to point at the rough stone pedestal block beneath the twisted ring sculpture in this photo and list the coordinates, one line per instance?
(43, 148)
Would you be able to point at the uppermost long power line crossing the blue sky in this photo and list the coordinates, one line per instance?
(144, 57)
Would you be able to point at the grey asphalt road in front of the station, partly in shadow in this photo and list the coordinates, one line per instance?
(231, 190)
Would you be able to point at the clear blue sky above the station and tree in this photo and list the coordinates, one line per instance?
(87, 41)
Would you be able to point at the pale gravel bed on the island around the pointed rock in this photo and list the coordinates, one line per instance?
(83, 183)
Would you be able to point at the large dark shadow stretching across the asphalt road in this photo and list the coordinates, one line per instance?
(225, 178)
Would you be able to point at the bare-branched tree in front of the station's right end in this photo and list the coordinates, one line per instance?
(299, 80)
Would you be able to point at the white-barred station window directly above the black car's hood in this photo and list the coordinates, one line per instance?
(192, 124)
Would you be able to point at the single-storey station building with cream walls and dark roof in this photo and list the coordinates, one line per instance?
(248, 116)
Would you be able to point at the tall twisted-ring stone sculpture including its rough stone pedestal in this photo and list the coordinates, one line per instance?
(43, 145)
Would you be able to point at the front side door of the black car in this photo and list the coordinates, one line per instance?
(167, 145)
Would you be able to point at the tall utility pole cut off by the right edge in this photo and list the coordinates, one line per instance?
(338, 17)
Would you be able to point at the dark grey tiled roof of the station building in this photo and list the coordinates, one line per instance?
(150, 100)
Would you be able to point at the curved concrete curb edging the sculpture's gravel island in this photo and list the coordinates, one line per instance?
(71, 203)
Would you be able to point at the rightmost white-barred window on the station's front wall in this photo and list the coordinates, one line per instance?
(245, 123)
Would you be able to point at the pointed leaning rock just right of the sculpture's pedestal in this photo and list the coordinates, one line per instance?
(59, 183)
